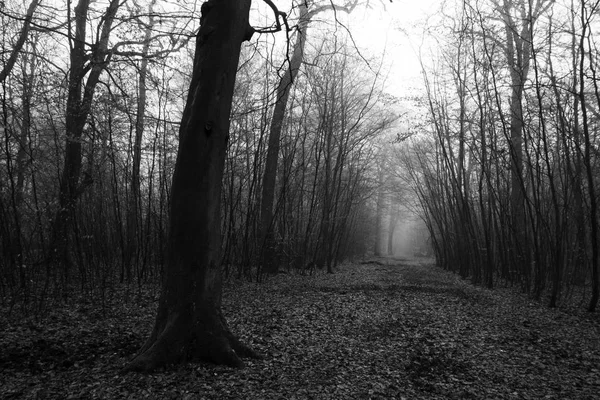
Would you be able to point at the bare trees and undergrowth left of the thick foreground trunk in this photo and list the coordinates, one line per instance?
(65, 127)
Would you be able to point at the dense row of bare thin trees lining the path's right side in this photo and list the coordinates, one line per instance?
(508, 185)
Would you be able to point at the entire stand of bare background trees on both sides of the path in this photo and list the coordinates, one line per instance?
(505, 166)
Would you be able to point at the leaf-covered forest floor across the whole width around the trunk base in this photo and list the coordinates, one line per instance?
(387, 329)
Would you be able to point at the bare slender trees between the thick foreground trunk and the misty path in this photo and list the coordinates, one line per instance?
(310, 167)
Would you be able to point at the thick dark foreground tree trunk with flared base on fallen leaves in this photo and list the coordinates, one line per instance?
(189, 323)
